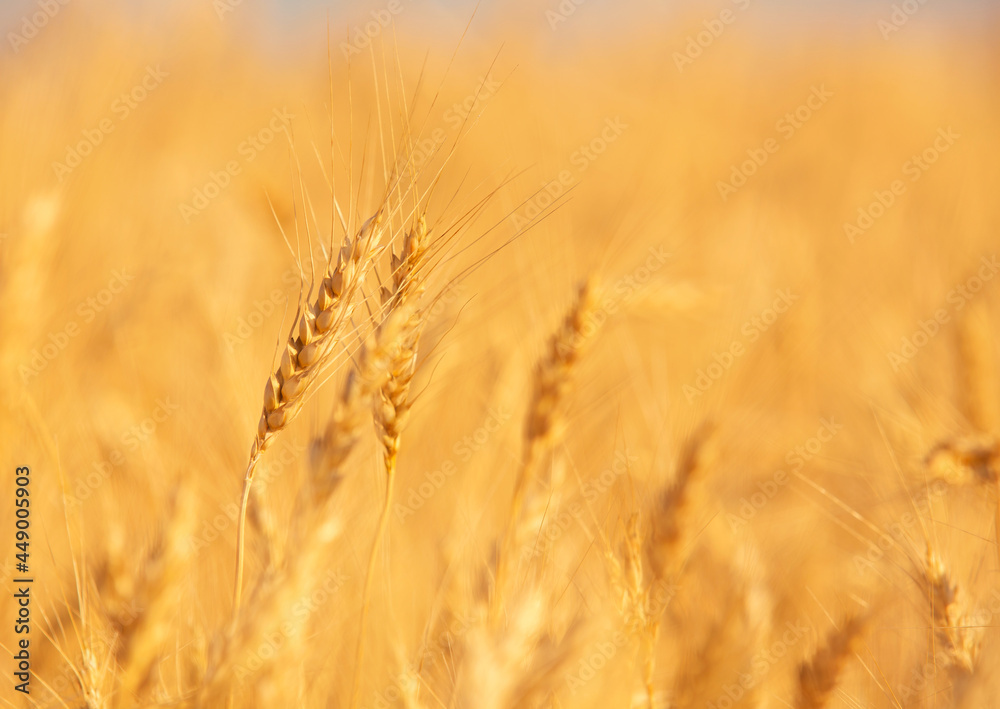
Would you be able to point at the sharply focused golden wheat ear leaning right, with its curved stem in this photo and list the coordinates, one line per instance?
(314, 333)
